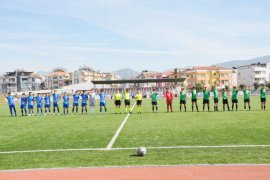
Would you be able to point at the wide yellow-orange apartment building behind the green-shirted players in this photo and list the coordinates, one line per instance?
(209, 76)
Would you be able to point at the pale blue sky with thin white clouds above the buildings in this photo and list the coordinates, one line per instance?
(139, 34)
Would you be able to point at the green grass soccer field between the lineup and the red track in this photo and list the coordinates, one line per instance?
(171, 138)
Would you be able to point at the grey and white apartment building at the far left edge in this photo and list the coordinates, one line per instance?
(20, 81)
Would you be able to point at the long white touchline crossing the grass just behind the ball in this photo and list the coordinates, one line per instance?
(119, 149)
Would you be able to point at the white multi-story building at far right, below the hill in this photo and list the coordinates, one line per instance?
(253, 73)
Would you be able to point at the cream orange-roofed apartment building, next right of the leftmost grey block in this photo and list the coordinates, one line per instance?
(58, 78)
